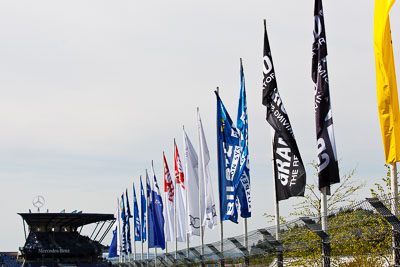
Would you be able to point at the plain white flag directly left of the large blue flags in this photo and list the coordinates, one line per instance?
(207, 195)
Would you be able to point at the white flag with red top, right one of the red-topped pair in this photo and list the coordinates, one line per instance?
(180, 197)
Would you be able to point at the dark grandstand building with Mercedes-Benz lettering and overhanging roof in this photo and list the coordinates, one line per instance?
(54, 239)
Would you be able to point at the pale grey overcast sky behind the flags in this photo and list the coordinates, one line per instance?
(92, 91)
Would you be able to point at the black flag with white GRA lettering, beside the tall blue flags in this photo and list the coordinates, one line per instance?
(289, 170)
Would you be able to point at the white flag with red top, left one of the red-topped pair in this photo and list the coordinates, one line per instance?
(169, 202)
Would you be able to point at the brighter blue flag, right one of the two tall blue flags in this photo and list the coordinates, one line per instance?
(243, 190)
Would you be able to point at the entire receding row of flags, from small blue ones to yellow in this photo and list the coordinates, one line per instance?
(188, 202)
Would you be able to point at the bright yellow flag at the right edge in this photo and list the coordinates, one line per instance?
(388, 101)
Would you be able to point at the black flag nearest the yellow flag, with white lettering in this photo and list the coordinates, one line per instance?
(328, 171)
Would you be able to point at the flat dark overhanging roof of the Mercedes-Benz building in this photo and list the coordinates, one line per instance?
(64, 219)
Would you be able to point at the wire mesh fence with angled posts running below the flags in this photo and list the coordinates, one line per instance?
(365, 233)
